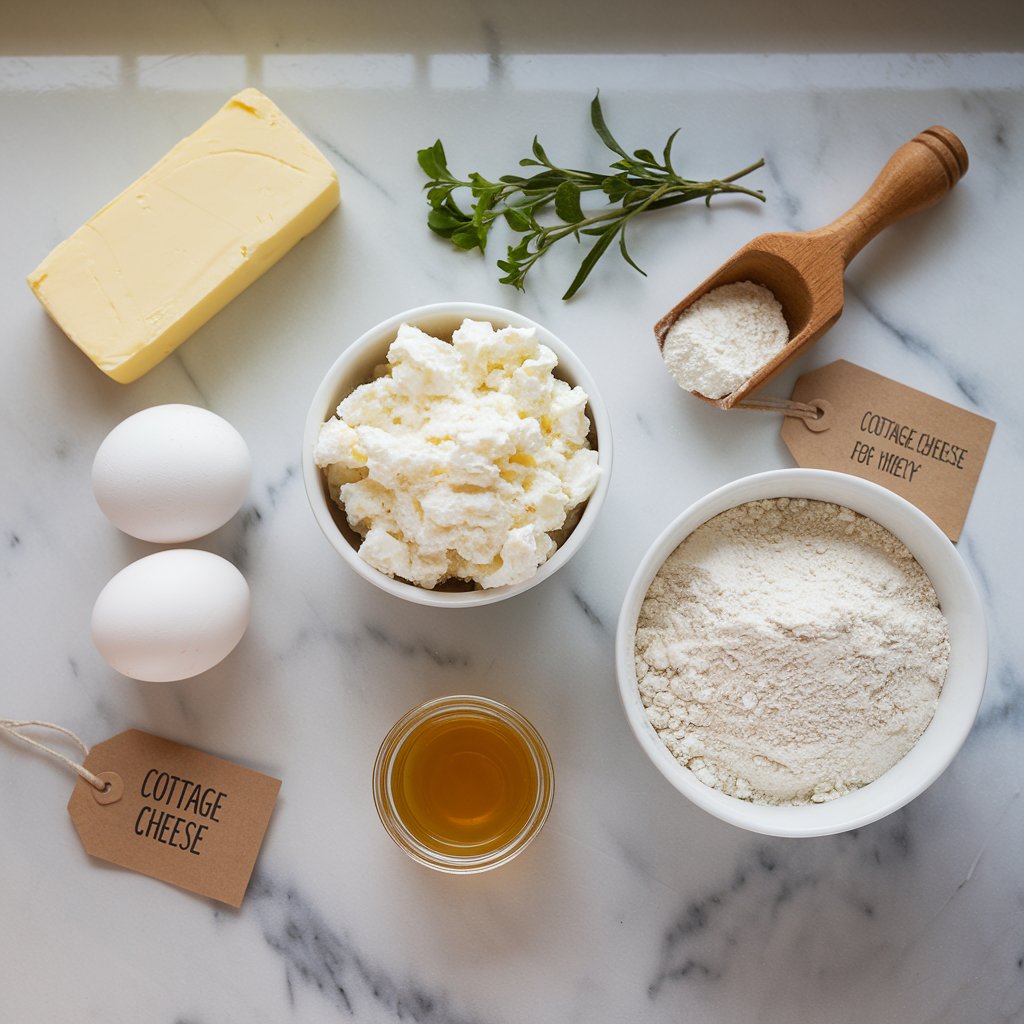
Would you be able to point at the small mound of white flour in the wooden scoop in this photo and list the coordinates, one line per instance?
(724, 338)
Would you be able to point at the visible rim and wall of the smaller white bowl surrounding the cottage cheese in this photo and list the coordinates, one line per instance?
(356, 366)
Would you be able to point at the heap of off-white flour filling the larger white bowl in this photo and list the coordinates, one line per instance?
(791, 652)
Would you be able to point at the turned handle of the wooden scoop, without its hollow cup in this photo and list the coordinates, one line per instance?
(917, 177)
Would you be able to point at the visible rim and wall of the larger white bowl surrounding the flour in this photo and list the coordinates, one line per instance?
(959, 701)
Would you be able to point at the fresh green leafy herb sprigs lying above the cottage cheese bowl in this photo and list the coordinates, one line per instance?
(637, 184)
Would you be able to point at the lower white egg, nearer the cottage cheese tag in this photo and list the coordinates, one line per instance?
(172, 616)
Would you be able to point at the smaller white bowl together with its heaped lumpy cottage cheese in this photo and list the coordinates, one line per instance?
(457, 454)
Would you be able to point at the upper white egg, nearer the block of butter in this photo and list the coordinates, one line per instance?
(172, 474)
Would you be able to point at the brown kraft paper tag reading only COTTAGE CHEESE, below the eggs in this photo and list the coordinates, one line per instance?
(175, 814)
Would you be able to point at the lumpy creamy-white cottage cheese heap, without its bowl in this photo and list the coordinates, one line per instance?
(463, 459)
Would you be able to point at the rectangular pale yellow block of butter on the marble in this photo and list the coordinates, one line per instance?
(176, 247)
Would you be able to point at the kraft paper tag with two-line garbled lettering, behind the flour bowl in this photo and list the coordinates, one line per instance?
(928, 451)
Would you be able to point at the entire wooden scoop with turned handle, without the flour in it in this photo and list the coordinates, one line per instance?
(804, 270)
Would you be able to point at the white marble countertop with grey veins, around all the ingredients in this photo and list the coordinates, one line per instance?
(632, 905)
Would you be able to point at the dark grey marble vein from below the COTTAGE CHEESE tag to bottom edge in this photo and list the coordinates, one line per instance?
(325, 959)
